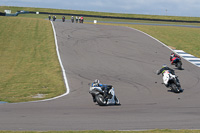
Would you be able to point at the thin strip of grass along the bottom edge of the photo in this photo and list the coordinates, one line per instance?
(99, 131)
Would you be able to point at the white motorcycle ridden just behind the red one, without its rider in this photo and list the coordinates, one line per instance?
(171, 80)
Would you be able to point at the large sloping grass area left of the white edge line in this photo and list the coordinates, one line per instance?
(29, 63)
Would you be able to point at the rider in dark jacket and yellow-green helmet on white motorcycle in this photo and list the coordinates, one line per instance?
(165, 70)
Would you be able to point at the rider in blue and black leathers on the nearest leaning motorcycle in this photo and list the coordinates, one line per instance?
(104, 87)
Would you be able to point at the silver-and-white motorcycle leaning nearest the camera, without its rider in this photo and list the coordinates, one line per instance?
(99, 96)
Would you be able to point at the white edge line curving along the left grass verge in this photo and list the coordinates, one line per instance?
(63, 71)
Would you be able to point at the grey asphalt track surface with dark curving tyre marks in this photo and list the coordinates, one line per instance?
(128, 60)
